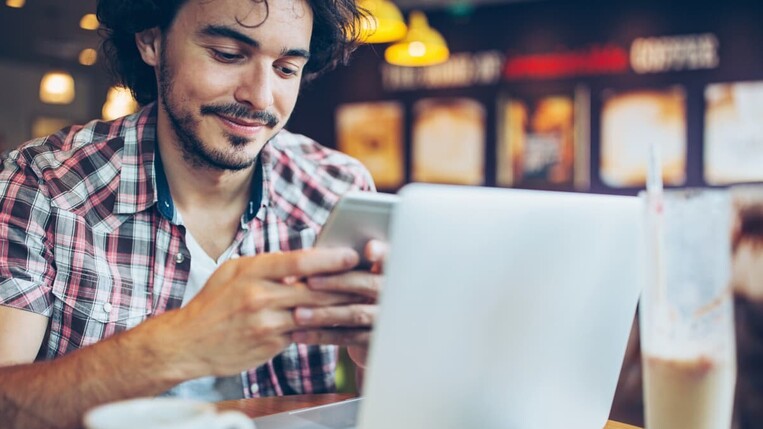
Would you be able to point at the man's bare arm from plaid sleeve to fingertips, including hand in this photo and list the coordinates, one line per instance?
(240, 319)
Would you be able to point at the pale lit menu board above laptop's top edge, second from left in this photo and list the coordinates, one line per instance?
(449, 141)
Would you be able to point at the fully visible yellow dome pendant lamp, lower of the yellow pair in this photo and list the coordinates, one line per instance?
(422, 45)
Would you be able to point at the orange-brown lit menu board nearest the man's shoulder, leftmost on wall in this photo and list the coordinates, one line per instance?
(373, 134)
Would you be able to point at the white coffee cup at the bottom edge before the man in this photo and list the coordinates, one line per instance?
(164, 413)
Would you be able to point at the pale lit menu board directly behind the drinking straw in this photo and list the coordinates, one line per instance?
(630, 121)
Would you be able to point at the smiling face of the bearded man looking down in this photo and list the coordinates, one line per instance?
(229, 76)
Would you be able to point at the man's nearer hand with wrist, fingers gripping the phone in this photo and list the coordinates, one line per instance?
(244, 314)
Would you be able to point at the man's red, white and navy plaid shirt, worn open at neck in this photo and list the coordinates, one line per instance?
(87, 236)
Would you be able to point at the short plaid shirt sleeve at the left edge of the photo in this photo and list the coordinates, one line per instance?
(26, 259)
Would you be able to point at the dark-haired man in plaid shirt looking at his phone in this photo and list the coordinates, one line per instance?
(168, 252)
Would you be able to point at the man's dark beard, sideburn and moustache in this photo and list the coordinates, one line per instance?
(195, 152)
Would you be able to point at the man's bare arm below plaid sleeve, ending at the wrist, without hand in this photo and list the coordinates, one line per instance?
(55, 394)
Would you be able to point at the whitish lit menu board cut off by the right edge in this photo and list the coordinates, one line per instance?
(733, 146)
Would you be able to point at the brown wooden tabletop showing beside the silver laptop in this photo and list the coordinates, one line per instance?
(258, 407)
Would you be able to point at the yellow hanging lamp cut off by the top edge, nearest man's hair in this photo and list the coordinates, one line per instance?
(384, 24)
